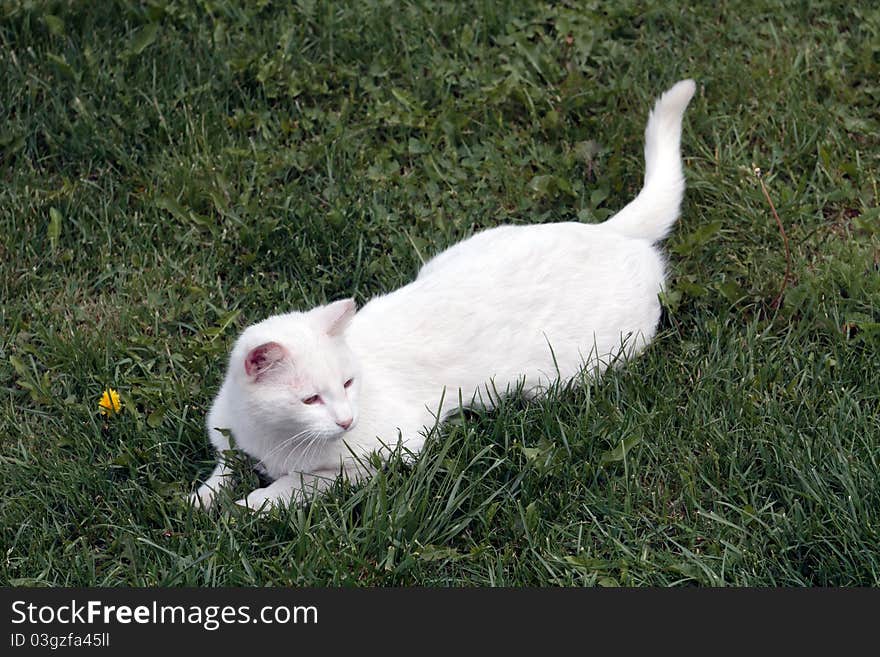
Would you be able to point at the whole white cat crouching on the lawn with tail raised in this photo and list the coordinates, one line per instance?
(310, 395)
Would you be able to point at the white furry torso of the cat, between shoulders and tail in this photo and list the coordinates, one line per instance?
(525, 301)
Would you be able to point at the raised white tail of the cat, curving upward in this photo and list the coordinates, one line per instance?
(651, 214)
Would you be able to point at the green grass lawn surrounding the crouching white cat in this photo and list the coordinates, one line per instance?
(172, 171)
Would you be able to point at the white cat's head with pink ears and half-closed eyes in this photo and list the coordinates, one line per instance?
(295, 372)
